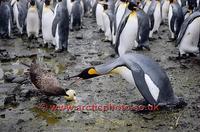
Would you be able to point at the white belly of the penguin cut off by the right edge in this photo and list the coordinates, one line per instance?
(189, 42)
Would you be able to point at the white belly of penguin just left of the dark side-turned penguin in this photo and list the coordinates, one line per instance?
(47, 20)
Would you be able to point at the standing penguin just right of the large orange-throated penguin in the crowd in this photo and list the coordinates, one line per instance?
(154, 13)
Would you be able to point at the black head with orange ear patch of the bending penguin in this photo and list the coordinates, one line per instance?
(86, 74)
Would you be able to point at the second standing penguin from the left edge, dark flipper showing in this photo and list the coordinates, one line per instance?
(20, 12)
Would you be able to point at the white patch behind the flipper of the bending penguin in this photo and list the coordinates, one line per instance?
(154, 90)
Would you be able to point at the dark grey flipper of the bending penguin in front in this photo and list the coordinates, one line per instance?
(139, 78)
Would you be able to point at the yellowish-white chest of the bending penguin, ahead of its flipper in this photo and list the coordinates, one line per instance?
(125, 73)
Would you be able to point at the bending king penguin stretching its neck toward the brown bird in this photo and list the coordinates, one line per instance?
(141, 71)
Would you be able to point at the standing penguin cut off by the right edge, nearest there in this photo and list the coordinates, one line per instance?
(189, 36)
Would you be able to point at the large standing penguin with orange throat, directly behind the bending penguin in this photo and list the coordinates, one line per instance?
(133, 30)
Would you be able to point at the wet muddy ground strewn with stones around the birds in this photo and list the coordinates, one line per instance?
(19, 100)
